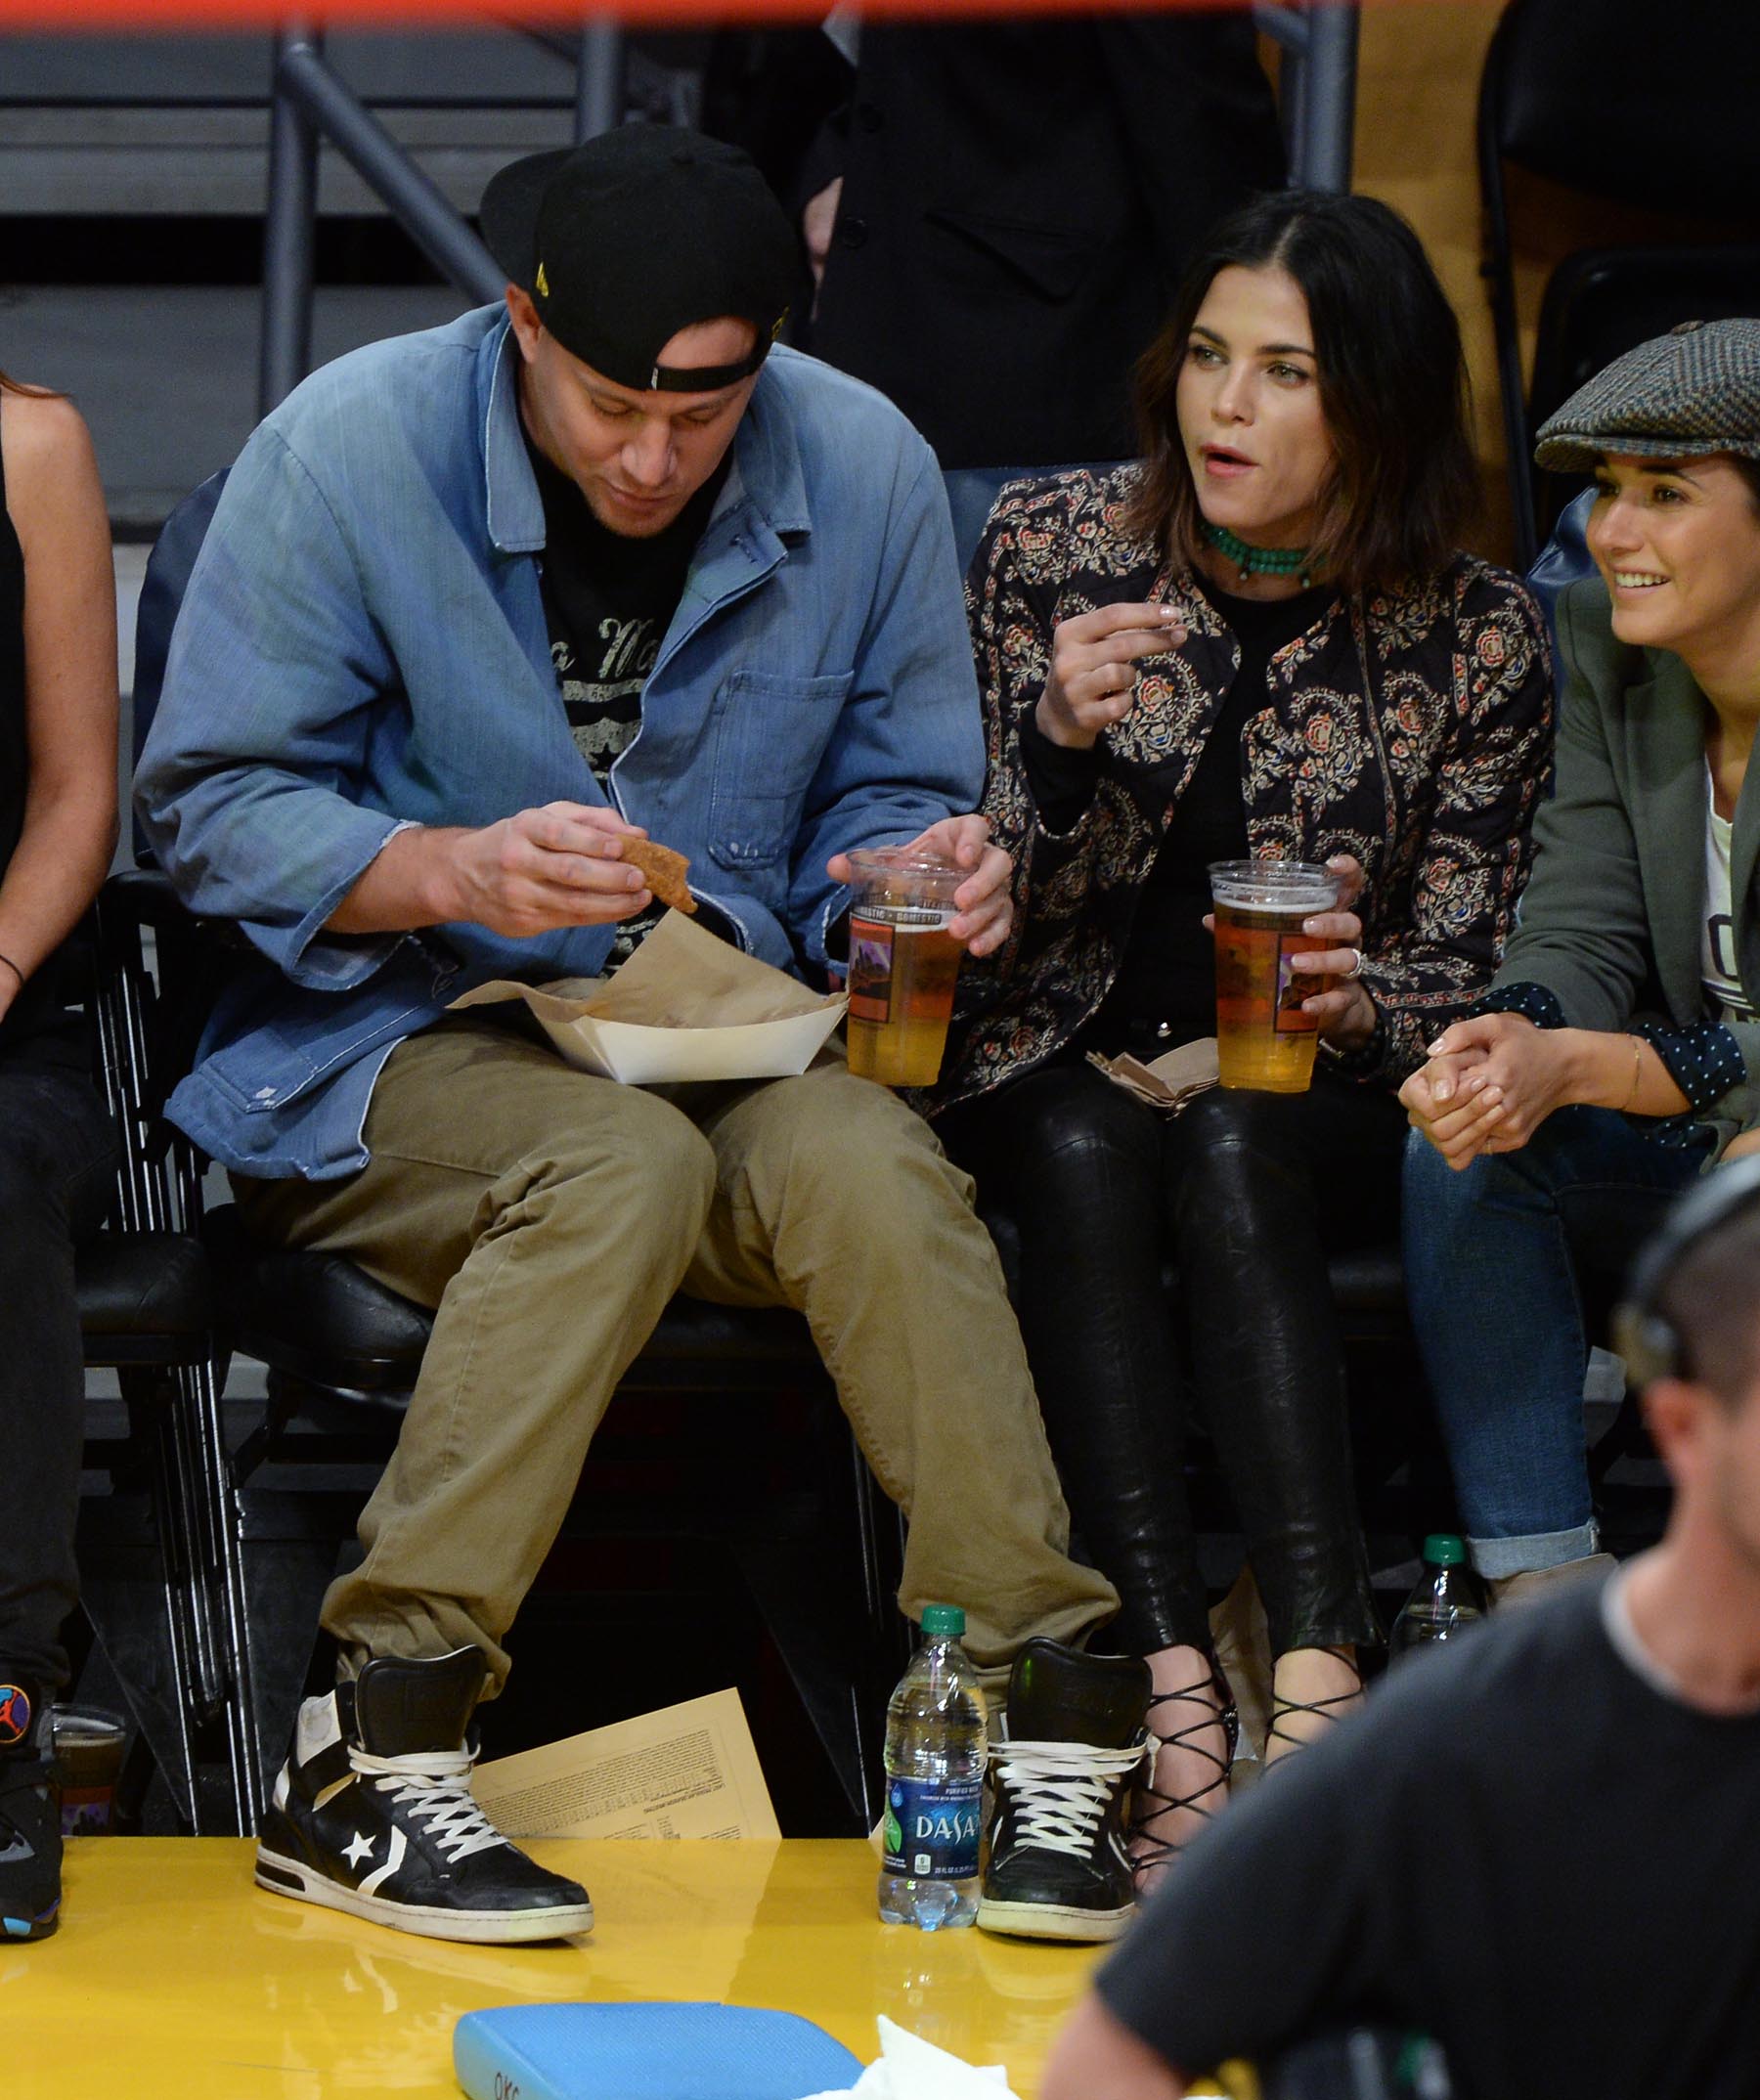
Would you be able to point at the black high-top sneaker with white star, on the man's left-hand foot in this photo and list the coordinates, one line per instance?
(373, 1815)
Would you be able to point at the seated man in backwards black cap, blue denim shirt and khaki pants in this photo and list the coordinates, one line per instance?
(478, 612)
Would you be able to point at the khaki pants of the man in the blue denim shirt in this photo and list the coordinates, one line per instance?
(549, 1217)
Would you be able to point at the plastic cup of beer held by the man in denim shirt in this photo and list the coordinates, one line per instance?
(902, 965)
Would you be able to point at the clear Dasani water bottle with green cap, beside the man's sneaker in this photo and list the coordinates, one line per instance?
(936, 1744)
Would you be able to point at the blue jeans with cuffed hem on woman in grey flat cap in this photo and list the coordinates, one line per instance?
(1496, 1261)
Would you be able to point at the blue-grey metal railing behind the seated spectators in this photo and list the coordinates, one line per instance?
(312, 104)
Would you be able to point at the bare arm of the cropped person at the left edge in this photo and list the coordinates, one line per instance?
(68, 837)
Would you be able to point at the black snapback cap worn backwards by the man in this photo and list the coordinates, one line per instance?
(637, 234)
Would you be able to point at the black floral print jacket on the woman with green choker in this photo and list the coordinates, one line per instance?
(1410, 730)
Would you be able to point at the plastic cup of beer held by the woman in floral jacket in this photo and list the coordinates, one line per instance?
(1263, 1038)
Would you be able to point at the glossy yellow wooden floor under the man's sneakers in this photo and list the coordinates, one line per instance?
(175, 1975)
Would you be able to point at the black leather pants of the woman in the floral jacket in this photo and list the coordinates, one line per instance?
(1181, 1267)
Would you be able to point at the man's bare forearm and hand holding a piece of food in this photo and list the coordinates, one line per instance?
(528, 875)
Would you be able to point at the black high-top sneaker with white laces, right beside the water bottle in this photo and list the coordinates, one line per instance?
(1064, 1761)
